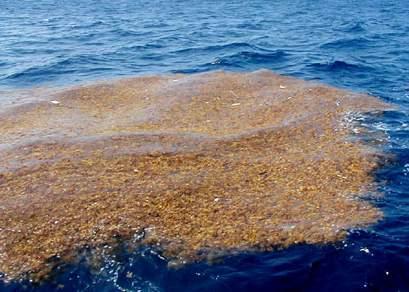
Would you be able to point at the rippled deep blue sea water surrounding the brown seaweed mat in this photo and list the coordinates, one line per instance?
(360, 45)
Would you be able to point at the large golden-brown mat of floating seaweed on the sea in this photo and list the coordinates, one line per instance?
(196, 163)
